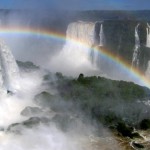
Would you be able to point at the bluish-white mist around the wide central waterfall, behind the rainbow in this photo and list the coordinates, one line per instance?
(48, 52)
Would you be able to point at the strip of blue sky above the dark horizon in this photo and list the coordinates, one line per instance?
(76, 4)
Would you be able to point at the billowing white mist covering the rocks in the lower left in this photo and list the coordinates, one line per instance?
(45, 129)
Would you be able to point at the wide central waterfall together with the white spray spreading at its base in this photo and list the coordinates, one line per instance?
(75, 55)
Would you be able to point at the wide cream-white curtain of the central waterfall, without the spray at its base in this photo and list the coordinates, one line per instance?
(83, 33)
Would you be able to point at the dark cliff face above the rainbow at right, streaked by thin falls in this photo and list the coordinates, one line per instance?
(124, 37)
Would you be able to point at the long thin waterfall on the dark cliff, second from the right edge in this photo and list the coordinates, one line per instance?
(136, 51)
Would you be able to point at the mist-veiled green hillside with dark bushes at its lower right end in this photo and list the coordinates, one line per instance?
(118, 105)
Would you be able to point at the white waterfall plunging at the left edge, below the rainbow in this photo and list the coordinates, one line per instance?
(9, 77)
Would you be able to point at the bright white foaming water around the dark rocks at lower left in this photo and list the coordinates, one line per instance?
(44, 137)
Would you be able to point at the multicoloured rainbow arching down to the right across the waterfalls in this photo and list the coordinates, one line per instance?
(14, 31)
